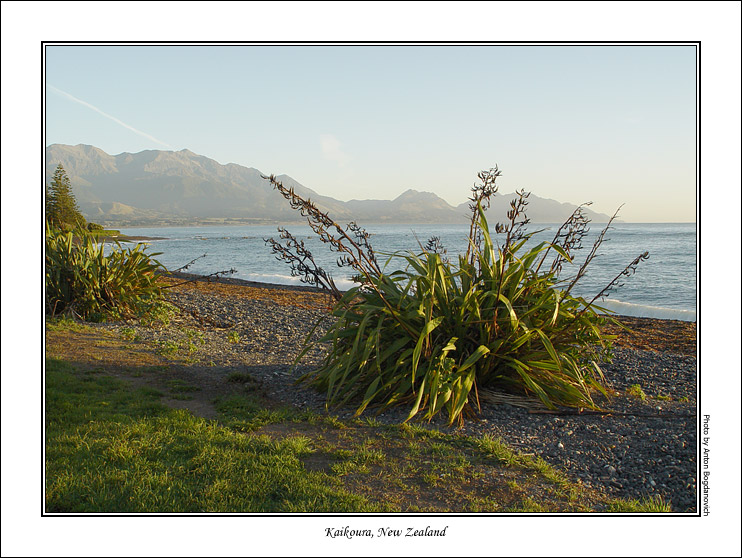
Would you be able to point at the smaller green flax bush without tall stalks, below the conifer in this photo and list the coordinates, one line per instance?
(81, 279)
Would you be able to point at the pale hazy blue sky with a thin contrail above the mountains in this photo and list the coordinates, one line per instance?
(609, 124)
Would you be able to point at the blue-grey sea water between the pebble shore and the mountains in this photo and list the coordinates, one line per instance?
(664, 286)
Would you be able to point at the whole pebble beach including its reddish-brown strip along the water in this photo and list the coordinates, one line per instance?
(642, 446)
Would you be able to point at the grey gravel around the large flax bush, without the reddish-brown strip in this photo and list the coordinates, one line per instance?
(649, 450)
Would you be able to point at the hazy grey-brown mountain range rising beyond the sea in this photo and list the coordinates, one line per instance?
(180, 187)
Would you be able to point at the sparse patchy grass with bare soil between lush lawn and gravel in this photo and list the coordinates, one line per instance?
(410, 467)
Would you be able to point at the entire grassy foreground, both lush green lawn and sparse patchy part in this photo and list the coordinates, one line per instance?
(114, 448)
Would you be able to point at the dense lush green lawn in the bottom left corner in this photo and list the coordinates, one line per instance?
(110, 448)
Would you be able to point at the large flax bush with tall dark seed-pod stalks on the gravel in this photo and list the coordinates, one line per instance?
(433, 334)
